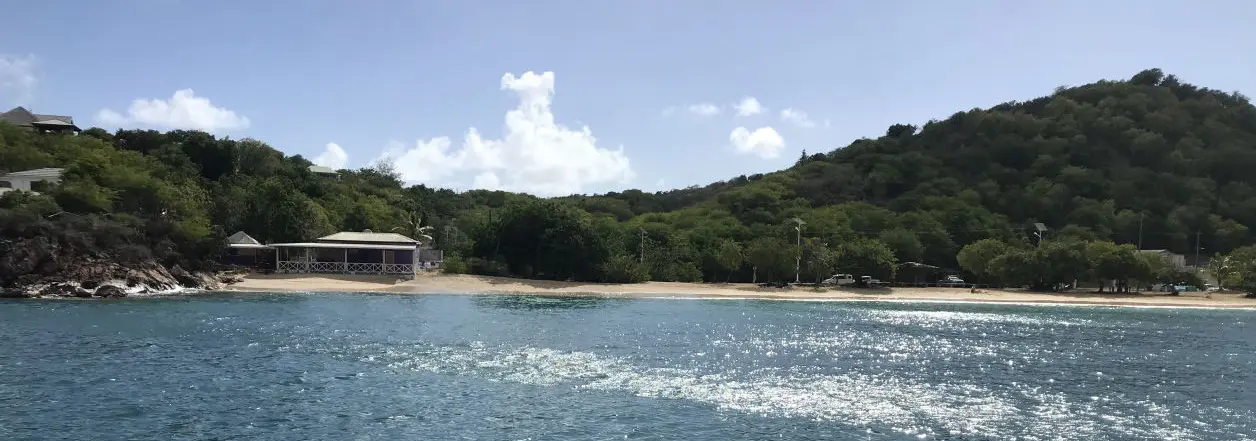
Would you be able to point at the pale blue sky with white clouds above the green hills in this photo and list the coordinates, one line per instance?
(558, 97)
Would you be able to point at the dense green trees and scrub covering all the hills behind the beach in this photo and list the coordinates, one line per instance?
(1151, 163)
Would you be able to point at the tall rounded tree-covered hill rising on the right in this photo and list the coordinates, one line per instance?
(1087, 161)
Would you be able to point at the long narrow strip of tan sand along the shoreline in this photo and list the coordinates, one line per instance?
(474, 285)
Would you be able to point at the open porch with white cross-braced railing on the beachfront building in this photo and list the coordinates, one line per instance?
(345, 258)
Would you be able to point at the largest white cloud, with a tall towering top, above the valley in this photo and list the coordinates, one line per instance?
(536, 155)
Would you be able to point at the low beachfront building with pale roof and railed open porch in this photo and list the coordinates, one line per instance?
(351, 253)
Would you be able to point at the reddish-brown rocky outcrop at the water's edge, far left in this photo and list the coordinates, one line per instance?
(107, 280)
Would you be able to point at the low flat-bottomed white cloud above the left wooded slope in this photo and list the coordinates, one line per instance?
(183, 111)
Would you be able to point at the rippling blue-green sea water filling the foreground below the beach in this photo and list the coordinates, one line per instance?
(443, 367)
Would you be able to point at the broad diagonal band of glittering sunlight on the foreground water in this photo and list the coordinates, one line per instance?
(876, 401)
